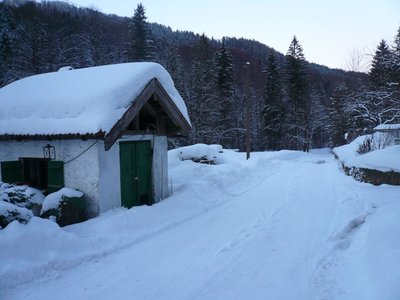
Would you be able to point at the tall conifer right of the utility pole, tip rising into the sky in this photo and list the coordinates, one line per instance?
(298, 97)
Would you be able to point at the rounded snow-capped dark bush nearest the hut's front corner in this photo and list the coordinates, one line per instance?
(65, 207)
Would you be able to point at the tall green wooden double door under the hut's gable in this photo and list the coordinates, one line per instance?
(135, 166)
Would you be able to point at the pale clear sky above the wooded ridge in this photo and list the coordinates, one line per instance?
(328, 30)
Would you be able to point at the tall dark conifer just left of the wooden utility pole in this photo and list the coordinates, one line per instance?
(225, 87)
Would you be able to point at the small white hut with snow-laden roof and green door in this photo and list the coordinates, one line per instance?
(102, 130)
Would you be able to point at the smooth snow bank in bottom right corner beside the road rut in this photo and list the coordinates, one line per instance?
(371, 263)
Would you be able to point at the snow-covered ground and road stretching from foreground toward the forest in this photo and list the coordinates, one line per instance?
(283, 225)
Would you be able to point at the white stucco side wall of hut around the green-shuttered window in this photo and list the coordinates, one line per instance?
(81, 173)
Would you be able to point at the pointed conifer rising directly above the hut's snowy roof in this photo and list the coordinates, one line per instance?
(140, 44)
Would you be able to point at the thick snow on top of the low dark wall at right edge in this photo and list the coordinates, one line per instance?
(383, 160)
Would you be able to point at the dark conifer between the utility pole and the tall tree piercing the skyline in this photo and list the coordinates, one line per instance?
(273, 112)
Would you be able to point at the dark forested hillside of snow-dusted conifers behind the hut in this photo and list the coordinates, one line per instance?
(293, 104)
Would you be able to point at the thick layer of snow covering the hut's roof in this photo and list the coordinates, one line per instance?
(78, 101)
